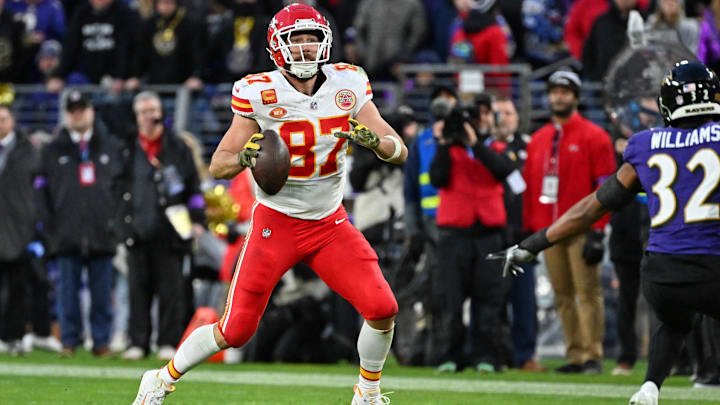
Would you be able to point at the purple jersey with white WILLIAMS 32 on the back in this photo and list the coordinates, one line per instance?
(680, 171)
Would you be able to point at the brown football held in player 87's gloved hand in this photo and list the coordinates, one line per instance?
(273, 163)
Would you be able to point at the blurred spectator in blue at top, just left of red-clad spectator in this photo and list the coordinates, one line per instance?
(544, 22)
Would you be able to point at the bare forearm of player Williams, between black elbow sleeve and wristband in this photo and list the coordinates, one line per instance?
(578, 219)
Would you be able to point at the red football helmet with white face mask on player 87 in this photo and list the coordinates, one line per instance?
(291, 19)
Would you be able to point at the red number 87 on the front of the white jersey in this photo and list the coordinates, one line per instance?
(309, 140)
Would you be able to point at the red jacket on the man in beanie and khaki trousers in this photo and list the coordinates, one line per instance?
(585, 158)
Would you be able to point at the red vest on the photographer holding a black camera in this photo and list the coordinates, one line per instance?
(471, 195)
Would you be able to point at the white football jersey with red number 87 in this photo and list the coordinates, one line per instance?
(314, 188)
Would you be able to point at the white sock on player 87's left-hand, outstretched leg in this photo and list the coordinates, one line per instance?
(198, 347)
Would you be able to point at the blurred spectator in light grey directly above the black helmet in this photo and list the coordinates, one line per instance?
(670, 24)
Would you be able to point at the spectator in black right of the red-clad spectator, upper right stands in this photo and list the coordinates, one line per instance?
(607, 38)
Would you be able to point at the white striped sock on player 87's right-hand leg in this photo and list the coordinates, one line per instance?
(373, 347)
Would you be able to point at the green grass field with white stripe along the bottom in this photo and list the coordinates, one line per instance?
(42, 378)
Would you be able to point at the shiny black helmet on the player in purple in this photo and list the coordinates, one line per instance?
(690, 89)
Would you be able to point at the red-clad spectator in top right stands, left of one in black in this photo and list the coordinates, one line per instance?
(583, 14)
